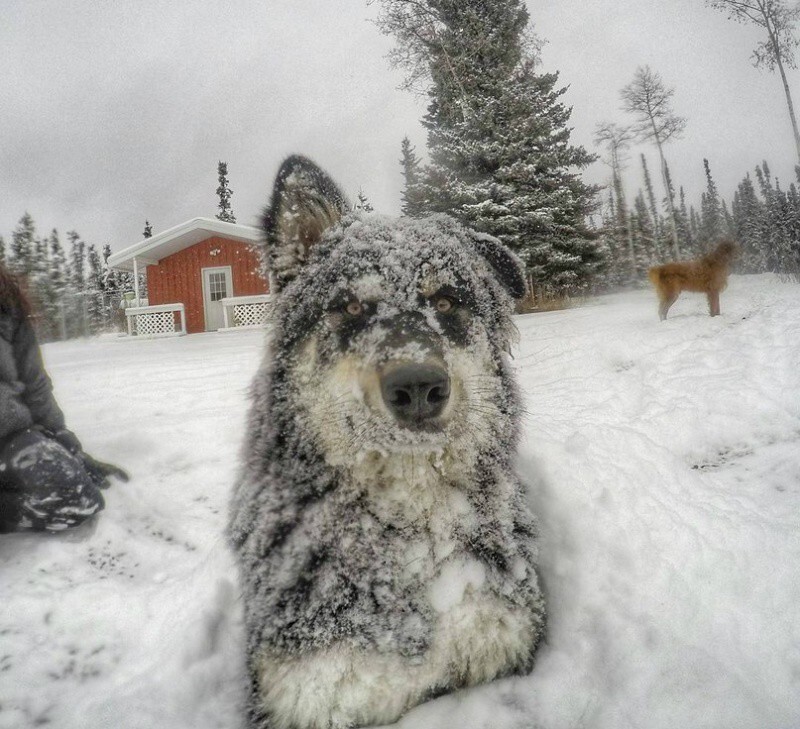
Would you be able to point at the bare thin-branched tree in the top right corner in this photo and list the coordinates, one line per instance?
(778, 20)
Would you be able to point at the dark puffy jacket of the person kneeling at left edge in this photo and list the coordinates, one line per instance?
(26, 393)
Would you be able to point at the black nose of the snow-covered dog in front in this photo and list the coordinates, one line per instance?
(415, 393)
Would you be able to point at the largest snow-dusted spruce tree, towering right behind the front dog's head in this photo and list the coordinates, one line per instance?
(498, 135)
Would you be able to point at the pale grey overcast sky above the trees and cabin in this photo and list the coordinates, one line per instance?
(115, 111)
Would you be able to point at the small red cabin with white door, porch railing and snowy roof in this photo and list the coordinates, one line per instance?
(203, 275)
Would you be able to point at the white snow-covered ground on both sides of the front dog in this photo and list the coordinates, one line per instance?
(664, 462)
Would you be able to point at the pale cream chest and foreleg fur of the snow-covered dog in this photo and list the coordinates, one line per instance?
(475, 633)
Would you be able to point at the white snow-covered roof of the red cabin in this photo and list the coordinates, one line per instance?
(150, 251)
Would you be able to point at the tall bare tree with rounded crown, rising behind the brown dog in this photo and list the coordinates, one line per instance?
(648, 99)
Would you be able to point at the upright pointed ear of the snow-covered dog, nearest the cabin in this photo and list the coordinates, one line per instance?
(305, 202)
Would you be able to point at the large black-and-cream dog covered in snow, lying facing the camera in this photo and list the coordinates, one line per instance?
(386, 551)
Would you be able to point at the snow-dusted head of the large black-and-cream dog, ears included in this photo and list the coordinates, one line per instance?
(393, 329)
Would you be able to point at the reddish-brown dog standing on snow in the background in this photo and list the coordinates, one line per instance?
(708, 274)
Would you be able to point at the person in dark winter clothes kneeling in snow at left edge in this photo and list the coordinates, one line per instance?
(47, 482)
